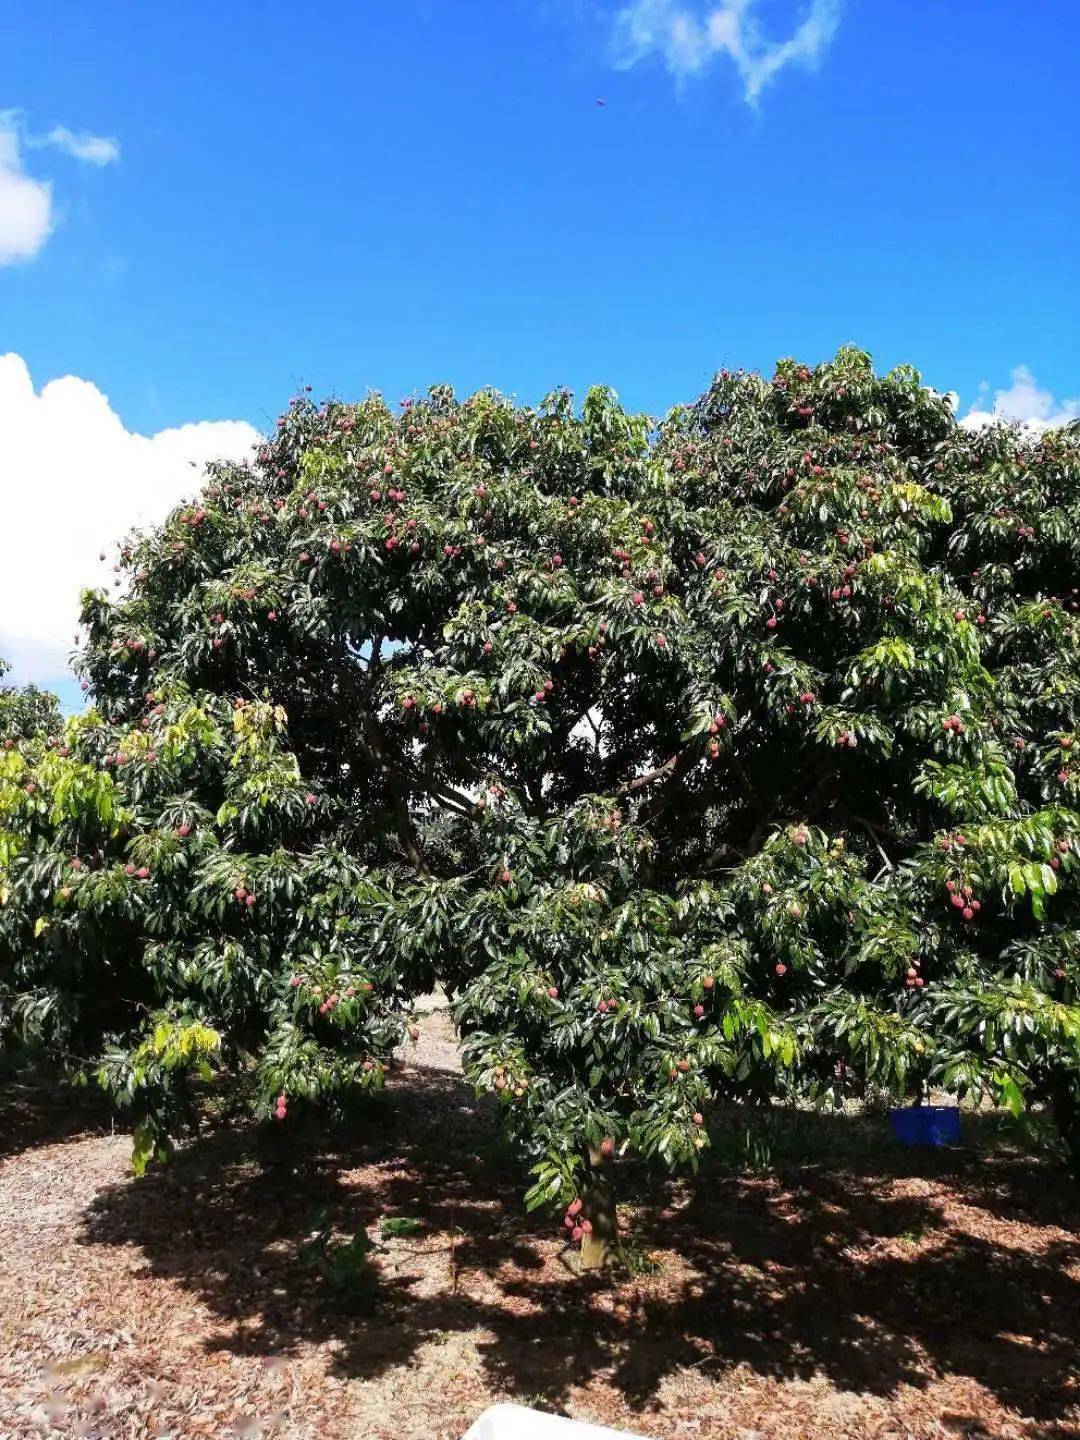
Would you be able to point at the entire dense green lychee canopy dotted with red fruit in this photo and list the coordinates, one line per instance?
(729, 757)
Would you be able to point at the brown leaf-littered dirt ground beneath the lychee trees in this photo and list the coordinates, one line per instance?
(855, 1291)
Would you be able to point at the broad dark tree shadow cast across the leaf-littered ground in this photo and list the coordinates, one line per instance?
(830, 1268)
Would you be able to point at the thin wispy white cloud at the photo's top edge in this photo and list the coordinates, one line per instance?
(689, 38)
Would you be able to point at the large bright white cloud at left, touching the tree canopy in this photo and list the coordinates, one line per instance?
(73, 483)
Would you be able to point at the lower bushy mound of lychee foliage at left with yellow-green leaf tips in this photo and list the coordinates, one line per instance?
(169, 902)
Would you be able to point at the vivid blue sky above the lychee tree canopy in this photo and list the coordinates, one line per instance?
(382, 195)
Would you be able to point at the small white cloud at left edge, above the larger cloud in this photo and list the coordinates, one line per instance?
(27, 210)
